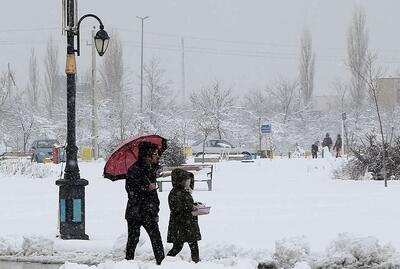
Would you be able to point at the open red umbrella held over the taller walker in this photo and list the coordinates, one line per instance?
(127, 154)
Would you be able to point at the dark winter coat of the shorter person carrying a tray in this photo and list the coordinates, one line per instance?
(183, 226)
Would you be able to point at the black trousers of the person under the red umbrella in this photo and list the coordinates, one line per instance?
(151, 227)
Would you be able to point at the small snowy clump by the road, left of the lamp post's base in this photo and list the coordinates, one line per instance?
(37, 245)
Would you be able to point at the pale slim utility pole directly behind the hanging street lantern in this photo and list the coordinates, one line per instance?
(95, 135)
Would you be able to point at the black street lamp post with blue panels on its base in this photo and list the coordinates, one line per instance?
(72, 187)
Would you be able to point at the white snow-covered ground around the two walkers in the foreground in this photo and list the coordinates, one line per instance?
(281, 210)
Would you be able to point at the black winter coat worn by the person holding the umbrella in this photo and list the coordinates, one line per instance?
(142, 203)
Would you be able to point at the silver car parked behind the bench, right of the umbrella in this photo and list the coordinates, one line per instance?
(217, 146)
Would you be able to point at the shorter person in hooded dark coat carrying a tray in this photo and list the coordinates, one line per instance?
(183, 226)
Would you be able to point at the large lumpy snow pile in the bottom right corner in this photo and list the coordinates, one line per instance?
(358, 252)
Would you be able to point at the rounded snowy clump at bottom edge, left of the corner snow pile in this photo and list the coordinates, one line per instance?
(289, 251)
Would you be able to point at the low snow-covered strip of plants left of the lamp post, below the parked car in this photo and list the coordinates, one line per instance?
(24, 167)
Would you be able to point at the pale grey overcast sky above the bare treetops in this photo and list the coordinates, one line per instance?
(244, 44)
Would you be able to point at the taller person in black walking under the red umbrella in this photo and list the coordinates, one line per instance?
(143, 203)
